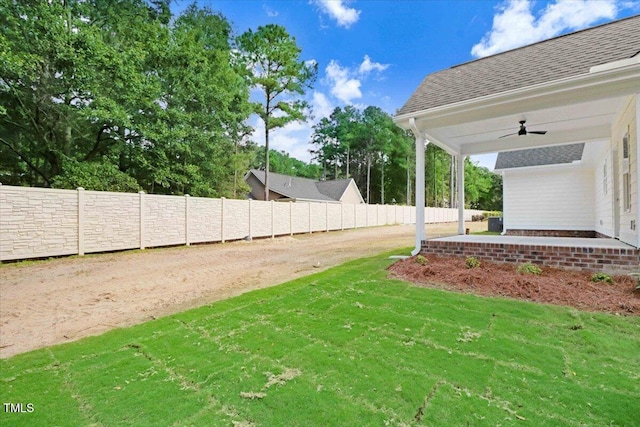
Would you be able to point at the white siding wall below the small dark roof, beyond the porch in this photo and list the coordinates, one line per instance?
(550, 198)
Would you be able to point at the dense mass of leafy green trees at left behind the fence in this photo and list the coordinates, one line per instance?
(119, 83)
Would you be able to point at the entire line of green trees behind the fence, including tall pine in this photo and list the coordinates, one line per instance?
(122, 96)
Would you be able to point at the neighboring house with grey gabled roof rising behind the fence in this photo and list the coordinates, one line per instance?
(293, 188)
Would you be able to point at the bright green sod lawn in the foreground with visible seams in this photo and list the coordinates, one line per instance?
(345, 347)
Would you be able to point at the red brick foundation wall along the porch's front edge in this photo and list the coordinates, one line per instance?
(608, 260)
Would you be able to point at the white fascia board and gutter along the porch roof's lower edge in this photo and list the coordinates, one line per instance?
(582, 88)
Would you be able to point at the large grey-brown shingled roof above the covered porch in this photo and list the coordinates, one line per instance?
(561, 57)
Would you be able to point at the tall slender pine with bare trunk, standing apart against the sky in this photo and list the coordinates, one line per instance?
(273, 58)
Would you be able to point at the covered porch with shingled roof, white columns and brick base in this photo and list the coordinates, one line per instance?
(580, 88)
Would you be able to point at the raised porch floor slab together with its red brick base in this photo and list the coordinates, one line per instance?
(588, 254)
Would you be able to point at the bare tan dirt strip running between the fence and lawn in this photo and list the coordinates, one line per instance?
(62, 300)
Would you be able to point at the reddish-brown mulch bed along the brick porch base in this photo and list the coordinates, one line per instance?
(553, 286)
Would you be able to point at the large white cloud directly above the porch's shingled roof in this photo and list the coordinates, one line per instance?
(515, 25)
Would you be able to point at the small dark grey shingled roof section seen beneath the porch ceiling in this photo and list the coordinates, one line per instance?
(556, 155)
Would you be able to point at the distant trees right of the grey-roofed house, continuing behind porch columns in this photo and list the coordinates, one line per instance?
(368, 147)
